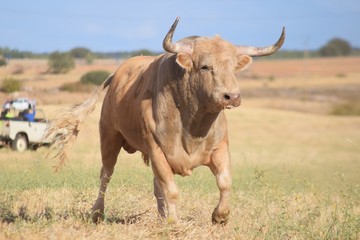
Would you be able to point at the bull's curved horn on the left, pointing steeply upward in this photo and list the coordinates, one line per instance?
(176, 47)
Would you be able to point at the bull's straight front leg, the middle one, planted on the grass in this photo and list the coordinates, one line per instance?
(165, 187)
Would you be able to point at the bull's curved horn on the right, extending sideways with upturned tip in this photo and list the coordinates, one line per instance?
(262, 51)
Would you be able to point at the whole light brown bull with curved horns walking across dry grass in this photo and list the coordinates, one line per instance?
(170, 108)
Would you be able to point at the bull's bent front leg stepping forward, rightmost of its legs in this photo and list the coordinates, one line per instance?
(220, 166)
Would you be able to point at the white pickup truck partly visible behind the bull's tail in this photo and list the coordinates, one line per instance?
(21, 135)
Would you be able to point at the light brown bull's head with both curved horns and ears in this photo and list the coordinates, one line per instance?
(212, 65)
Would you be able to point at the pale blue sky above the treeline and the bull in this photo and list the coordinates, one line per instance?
(115, 25)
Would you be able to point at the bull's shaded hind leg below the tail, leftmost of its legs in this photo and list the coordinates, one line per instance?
(111, 143)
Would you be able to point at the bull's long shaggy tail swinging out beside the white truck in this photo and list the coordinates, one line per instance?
(65, 126)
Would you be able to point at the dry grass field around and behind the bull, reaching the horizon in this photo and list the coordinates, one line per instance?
(295, 164)
